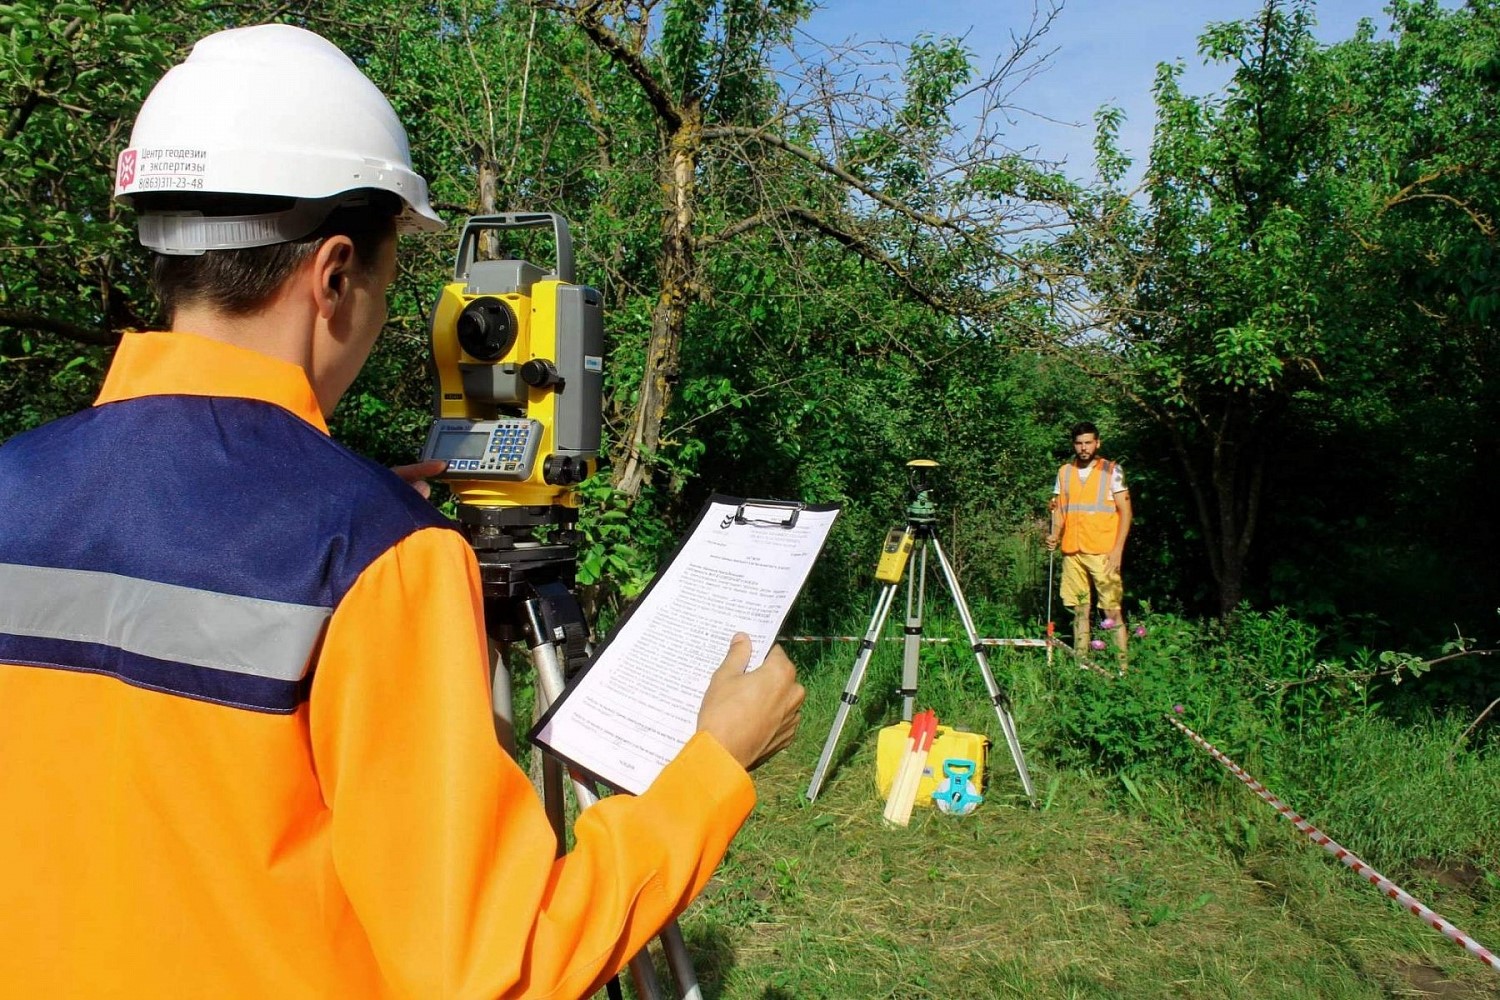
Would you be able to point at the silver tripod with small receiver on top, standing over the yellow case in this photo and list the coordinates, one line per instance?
(917, 537)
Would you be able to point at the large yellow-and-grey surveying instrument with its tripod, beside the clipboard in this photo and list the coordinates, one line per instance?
(518, 373)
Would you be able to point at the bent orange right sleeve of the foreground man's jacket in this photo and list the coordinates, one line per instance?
(442, 843)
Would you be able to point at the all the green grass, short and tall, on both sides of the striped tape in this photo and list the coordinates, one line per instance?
(1148, 878)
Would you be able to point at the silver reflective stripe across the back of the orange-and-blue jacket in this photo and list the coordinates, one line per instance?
(241, 635)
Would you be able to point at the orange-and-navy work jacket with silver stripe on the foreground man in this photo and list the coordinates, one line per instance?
(247, 747)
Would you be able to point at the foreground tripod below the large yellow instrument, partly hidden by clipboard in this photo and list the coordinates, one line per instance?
(529, 596)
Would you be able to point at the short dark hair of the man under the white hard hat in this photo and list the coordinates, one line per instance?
(239, 283)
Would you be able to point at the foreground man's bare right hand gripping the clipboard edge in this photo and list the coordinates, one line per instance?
(754, 716)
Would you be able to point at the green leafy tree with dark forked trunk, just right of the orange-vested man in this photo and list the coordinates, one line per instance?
(1234, 301)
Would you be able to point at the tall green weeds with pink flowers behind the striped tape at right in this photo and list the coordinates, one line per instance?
(1400, 792)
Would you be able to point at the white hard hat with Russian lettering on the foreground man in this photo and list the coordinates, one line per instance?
(269, 110)
